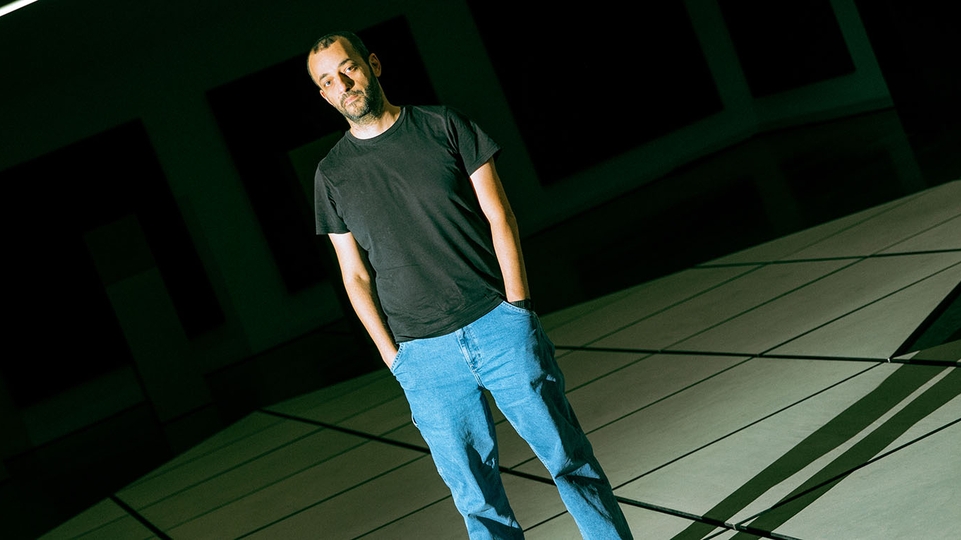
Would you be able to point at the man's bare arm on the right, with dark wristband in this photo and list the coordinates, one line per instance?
(507, 241)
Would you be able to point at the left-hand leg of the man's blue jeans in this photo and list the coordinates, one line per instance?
(453, 416)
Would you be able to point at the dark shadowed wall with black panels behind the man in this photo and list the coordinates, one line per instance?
(157, 162)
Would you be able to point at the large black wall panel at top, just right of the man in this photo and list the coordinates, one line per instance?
(586, 84)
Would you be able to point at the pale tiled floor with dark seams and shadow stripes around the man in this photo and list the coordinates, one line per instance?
(771, 393)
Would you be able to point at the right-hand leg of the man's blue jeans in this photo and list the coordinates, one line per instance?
(520, 371)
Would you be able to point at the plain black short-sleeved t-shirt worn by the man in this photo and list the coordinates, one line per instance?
(407, 198)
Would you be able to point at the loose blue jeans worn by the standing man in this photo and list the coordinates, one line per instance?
(506, 352)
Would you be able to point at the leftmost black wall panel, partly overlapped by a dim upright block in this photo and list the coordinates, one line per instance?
(62, 319)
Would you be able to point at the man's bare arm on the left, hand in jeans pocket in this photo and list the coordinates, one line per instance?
(359, 282)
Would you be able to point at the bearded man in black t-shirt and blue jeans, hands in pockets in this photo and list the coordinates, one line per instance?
(431, 260)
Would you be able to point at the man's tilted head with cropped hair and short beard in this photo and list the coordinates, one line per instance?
(346, 81)
